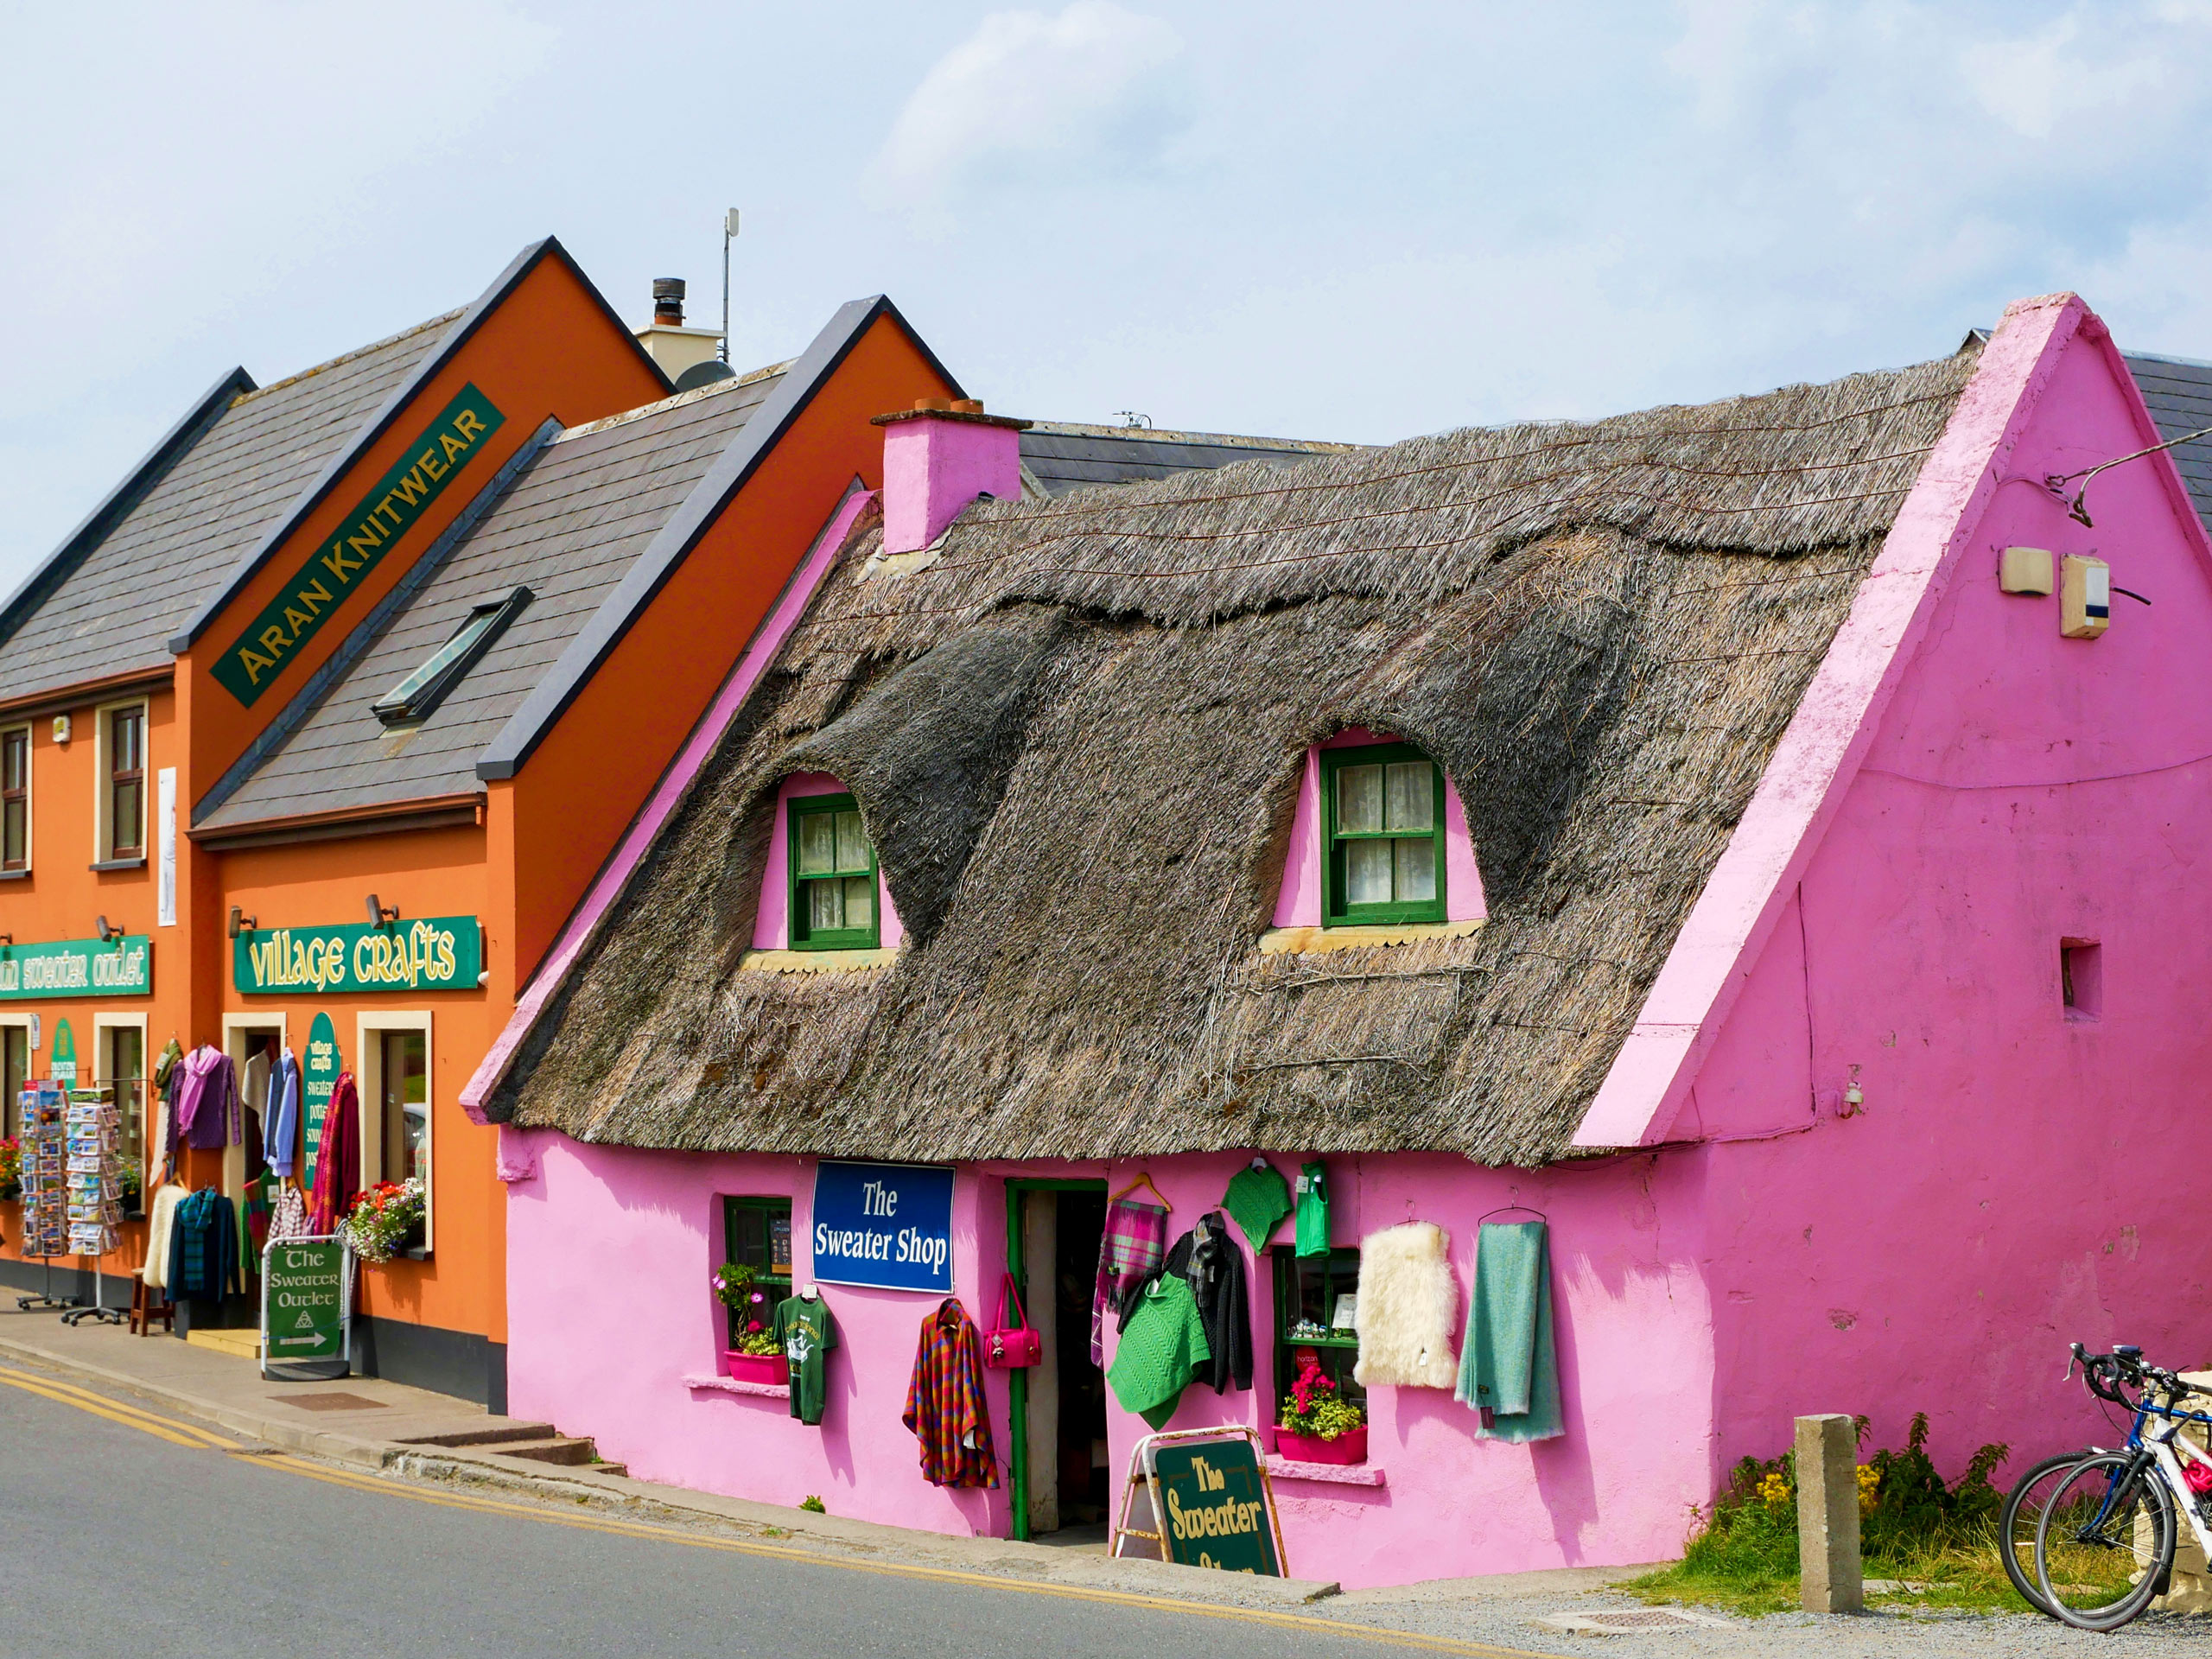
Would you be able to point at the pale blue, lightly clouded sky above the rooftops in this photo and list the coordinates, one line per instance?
(1284, 220)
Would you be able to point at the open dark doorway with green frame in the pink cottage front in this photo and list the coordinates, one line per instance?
(1061, 1477)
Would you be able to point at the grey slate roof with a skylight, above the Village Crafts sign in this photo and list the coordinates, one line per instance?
(570, 528)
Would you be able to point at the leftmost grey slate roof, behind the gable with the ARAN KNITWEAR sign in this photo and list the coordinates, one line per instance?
(149, 576)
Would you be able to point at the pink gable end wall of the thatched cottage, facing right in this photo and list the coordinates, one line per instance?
(2016, 1178)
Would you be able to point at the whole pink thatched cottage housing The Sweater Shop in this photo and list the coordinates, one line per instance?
(1757, 842)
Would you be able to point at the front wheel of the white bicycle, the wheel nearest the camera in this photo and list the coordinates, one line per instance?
(2105, 1545)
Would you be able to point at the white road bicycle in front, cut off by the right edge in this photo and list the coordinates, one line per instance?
(2107, 1538)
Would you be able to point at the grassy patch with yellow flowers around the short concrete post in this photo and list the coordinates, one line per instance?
(1744, 1556)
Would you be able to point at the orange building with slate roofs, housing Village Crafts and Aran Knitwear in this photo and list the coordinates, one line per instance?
(333, 711)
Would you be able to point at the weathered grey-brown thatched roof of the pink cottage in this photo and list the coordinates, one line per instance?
(1078, 738)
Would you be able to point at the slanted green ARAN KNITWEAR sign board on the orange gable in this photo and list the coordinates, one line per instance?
(382, 519)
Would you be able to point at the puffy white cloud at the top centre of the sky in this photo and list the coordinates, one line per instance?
(1089, 92)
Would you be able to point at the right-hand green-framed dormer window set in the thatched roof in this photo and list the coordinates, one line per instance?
(1386, 857)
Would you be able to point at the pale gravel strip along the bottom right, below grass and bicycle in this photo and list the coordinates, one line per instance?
(1884, 1634)
